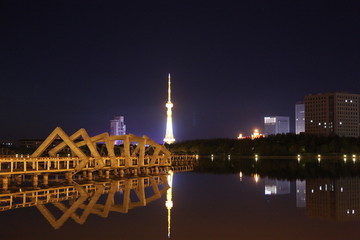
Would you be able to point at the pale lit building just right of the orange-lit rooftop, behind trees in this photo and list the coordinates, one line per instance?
(276, 125)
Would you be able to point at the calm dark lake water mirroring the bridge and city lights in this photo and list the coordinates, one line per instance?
(199, 206)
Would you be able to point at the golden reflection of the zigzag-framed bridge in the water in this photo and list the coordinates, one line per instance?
(86, 197)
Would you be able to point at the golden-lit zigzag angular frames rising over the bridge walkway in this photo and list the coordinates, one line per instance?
(142, 150)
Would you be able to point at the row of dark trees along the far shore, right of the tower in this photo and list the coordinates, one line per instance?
(274, 145)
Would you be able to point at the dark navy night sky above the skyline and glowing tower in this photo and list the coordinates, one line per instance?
(78, 64)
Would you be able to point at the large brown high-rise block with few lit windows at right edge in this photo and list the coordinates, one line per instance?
(332, 114)
